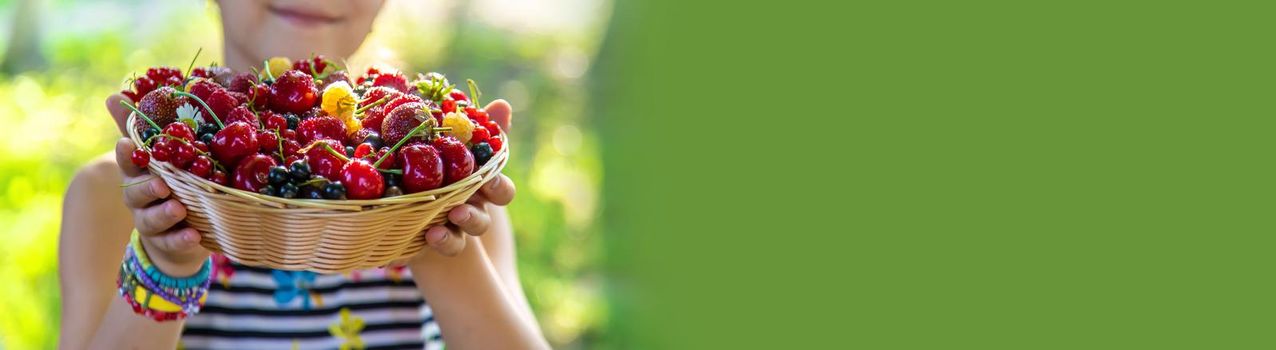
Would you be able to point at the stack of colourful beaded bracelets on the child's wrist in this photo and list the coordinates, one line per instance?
(156, 296)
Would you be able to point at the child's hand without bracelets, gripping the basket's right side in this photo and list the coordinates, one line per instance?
(474, 217)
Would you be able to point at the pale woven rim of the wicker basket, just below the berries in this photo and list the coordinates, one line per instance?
(270, 202)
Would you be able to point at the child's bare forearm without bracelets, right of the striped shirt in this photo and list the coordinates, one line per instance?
(470, 302)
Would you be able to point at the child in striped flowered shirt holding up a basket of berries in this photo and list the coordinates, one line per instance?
(471, 284)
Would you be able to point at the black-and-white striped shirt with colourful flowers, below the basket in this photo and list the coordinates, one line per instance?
(261, 308)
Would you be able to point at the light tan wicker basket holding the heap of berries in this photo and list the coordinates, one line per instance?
(320, 236)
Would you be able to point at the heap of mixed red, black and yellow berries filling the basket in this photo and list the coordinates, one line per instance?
(308, 133)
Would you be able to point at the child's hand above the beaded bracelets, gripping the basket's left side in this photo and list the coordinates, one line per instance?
(174, 250)
